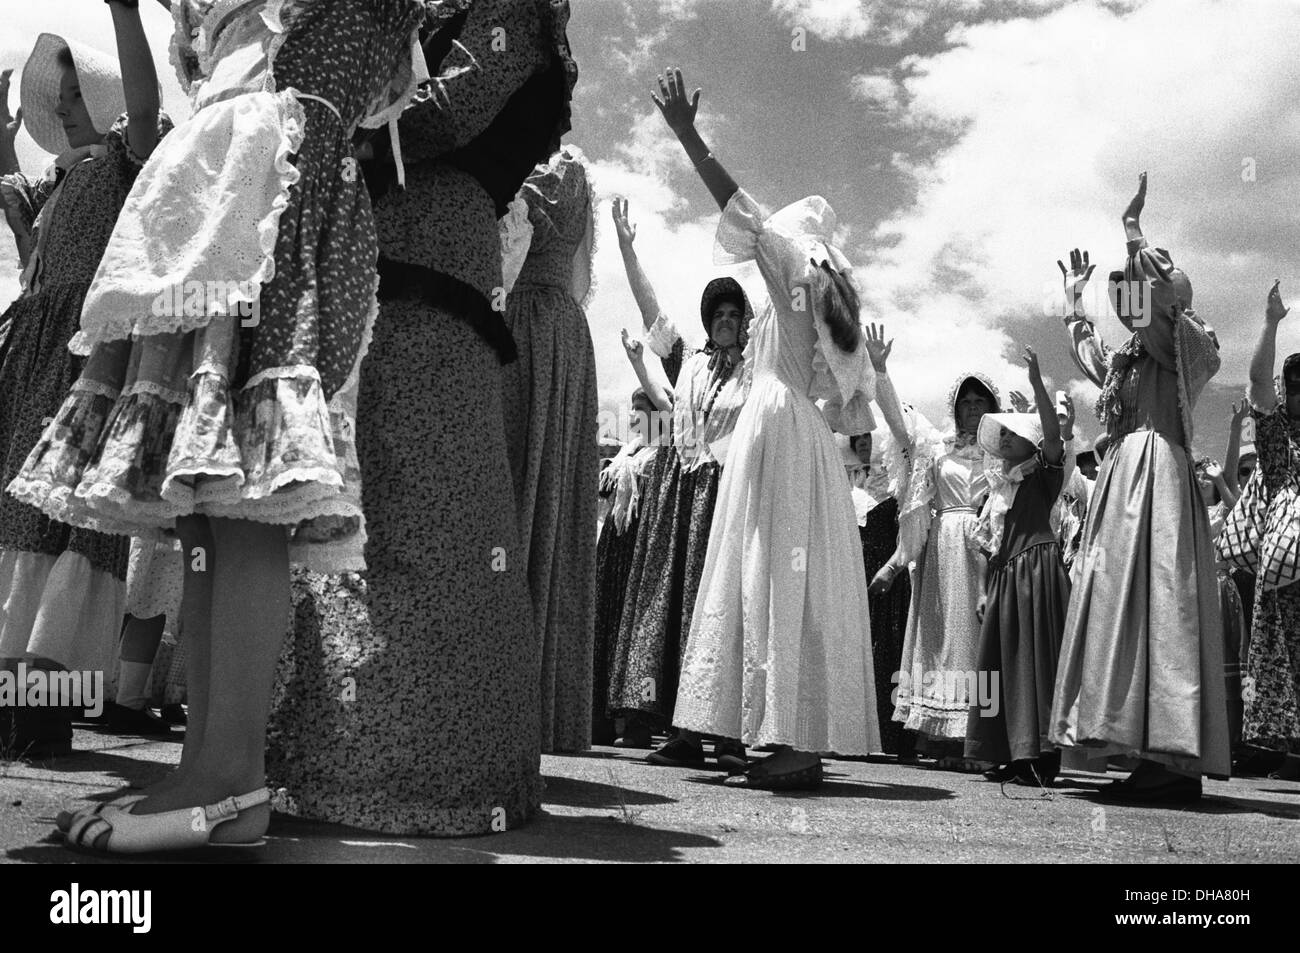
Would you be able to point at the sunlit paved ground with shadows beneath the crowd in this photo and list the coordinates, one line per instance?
(609, 807)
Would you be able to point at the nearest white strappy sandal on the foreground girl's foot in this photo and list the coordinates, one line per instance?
(140, 834)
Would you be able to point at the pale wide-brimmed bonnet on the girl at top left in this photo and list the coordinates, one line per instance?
(99, 79)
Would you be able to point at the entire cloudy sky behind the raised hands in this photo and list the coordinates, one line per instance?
(967, 146)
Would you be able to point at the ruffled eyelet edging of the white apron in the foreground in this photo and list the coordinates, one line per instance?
(132, 326)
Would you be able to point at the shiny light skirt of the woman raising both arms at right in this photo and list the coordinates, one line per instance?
(1142, 664)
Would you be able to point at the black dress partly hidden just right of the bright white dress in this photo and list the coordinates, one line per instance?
(889, 616)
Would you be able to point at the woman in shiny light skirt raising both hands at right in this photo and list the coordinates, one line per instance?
(1142, 662)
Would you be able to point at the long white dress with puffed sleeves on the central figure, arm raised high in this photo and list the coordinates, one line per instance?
(781, 640)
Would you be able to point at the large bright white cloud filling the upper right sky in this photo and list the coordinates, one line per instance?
(1054, 120)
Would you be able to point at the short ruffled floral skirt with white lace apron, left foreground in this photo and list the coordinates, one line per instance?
(188, 406)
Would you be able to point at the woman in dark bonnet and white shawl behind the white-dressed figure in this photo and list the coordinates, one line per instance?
(707, 393)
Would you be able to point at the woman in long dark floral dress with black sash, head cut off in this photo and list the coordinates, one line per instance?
(409, 699)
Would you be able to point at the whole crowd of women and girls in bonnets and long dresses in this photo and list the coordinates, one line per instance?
(300, 428)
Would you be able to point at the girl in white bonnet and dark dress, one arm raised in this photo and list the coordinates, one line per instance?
(1024, 608)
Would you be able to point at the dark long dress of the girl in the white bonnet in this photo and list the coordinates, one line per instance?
(1029, 594)
